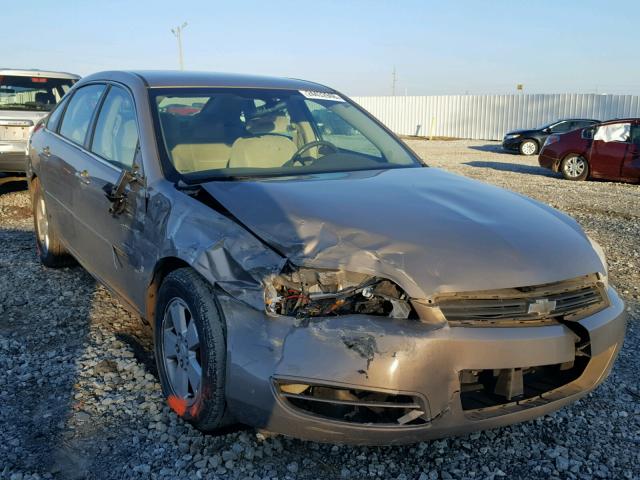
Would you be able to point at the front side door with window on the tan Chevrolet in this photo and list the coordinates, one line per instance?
(110, 240)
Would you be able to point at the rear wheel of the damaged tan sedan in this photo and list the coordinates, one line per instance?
(50, 250)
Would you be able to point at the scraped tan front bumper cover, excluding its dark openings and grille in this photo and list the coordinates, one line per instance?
(405, 357)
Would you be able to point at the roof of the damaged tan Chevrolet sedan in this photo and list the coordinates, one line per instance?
(178, 78)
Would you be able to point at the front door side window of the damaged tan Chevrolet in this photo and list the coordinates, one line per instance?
(116, 133)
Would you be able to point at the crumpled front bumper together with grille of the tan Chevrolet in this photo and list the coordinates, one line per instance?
(374, 379)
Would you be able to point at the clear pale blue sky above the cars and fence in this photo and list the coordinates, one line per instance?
(436, 48)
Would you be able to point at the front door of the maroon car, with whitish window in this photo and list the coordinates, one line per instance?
(608, 149)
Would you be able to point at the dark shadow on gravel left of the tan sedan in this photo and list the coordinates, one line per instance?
(44, 328)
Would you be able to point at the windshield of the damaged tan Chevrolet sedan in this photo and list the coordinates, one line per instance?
(237, 132)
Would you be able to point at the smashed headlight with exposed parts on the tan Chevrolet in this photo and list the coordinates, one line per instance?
(308, 292)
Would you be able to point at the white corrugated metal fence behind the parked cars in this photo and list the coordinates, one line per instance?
(488, 117)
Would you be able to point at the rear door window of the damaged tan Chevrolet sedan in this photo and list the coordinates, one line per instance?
(79, 113)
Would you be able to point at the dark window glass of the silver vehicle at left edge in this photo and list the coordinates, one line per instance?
(32, 93)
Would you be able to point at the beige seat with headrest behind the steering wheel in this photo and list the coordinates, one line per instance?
(266, 149)
